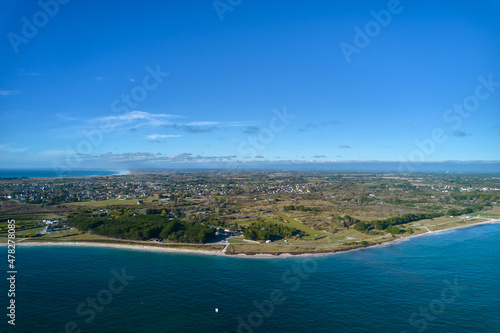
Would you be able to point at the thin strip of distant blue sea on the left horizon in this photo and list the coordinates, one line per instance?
(40, 173)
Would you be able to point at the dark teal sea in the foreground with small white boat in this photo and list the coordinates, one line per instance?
(443, 282)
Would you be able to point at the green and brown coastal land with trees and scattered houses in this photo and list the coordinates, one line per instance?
(244, 213)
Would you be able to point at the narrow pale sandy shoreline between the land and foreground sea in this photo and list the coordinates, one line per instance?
(271, 255)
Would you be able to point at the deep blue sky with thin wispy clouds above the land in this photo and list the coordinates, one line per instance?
(254, 81)
